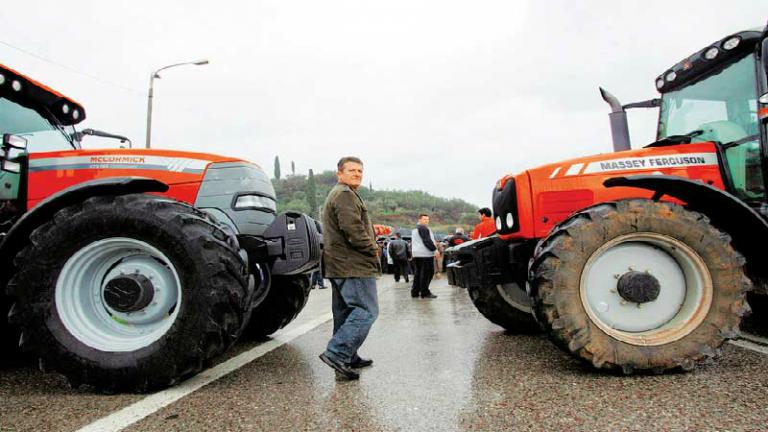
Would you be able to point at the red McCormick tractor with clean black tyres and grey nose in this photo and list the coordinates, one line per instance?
(131, 269)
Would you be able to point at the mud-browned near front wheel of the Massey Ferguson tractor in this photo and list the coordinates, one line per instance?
(639, 285)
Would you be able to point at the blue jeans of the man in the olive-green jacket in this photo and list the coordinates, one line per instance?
(355, 308)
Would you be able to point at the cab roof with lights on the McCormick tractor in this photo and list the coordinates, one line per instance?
(34, 95)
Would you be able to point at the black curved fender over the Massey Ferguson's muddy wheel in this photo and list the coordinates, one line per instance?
(747, 228)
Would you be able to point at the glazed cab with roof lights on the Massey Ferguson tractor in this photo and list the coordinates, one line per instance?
(713, 96)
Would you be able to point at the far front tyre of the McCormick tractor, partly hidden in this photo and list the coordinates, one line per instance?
(287, 296)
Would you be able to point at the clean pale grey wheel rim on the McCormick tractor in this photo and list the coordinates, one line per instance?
(94, 306)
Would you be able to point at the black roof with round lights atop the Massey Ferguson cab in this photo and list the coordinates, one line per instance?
(714, 57)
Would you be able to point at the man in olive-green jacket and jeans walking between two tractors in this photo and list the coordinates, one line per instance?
(351, 263)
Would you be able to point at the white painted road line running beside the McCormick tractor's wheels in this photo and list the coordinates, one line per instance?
(157, 401)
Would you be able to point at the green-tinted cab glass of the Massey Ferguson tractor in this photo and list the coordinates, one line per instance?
(722, 108)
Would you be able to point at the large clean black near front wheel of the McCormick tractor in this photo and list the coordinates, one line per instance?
(129, 293)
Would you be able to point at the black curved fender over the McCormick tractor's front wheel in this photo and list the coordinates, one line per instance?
(19, 234)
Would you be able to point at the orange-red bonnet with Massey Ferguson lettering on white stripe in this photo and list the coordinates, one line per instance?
(549, 194)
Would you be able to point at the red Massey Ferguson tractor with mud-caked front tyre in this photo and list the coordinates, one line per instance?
(641, 259)
